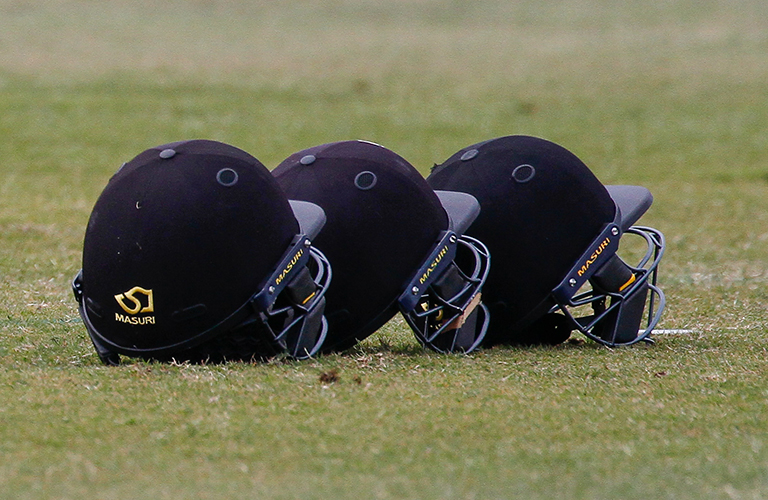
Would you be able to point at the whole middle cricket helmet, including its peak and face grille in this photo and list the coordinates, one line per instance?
(394, 244)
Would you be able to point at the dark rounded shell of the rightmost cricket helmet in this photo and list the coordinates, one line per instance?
(541, 209)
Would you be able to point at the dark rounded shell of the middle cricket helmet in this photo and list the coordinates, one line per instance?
(382, 221)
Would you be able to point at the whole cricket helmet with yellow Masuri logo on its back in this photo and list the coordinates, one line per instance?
(193, 253)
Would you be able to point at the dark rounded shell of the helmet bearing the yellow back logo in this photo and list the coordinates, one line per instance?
(181, 237)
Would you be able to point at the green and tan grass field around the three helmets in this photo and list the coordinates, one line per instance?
(672, 95)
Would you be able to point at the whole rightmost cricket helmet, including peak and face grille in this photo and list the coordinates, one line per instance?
(554, 230)
